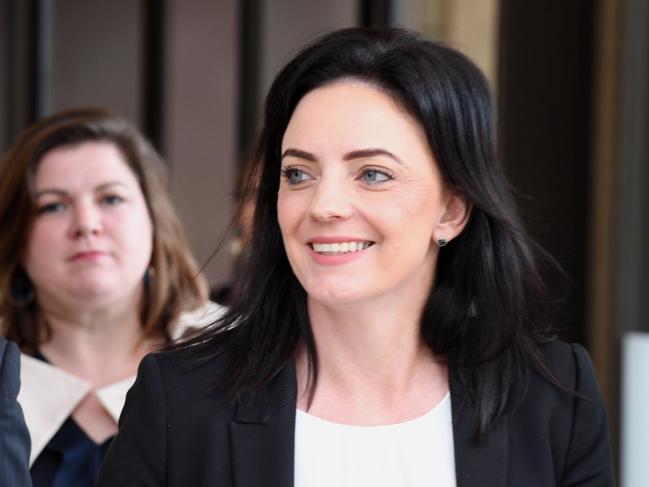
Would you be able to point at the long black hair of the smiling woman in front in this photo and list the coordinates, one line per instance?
(483, 312)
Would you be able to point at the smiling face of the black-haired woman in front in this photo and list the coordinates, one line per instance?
(360, 197)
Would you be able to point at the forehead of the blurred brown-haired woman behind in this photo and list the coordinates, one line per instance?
(78, 166)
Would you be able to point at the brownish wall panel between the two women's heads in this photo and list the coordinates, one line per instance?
(200, 121)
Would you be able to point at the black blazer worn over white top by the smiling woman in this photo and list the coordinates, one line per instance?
(177, 431)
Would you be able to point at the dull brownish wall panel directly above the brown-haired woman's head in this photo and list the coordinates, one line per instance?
(97, 55)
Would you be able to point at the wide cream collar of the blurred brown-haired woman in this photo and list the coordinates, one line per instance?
(48, 395)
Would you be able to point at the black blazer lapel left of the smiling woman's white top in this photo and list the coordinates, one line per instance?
(262, 435)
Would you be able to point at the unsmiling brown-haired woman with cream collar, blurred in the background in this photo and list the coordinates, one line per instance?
(95, 273)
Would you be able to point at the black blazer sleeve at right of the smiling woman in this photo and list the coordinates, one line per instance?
(589, 458)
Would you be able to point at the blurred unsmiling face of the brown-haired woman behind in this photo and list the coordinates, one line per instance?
(91, 240)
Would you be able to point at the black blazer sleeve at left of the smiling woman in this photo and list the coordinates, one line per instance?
(137, 455)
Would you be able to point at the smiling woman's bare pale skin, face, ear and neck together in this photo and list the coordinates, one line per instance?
(357, 169)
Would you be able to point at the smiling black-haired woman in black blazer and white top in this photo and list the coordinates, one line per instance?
(386, 328)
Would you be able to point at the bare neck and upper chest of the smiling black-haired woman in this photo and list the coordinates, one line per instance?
(374, 367)
